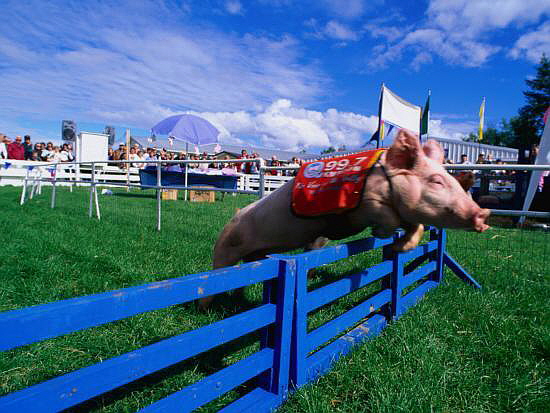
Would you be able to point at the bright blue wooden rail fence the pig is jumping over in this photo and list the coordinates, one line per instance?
(288, 354)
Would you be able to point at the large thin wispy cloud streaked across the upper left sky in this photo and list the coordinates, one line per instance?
(133, 64)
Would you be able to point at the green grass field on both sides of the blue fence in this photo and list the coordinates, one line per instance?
(458, 350)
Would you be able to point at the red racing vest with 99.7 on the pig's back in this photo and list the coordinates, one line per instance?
(333, 185)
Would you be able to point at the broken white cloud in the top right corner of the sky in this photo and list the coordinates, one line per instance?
(459, 32)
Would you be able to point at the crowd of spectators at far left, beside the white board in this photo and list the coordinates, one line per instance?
(24, 150)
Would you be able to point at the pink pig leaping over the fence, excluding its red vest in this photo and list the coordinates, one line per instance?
(407, 188)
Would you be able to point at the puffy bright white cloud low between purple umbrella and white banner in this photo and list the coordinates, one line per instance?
(285, 126)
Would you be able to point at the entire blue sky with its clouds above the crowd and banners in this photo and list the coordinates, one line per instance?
(282, 73)
